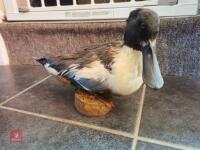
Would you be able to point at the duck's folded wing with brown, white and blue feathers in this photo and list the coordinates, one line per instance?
(90, 68)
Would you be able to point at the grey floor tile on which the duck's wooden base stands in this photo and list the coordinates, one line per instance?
(53, 98)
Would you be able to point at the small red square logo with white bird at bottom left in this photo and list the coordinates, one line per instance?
(16, 136)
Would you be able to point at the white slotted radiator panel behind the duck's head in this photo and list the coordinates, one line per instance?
(92, 10)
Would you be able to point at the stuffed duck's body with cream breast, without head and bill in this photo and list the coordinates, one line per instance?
(119, 71)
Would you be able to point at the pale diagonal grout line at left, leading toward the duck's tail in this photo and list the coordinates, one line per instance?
(23, 91)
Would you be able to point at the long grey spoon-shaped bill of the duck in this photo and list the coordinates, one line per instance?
(151, 71)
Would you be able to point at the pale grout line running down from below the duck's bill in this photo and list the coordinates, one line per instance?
(138, 118)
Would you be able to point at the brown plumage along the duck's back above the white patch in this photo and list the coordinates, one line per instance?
(102, 52)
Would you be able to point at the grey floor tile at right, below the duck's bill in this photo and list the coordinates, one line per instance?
(172, 113)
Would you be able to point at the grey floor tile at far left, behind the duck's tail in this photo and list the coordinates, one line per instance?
(13, 79)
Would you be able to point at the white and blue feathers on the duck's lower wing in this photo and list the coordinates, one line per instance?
(88, 78)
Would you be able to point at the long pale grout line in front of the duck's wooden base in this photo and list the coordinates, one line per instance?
(71, 122)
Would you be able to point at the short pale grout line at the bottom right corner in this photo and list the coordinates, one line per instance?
(163, 143)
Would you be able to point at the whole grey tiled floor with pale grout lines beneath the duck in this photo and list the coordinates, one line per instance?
(42, 109)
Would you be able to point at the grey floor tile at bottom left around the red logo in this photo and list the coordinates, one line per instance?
(42, 134)
